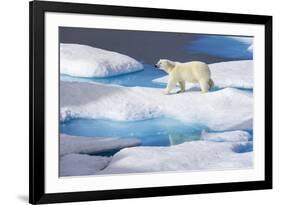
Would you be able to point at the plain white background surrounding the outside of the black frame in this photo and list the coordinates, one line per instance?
(14, 100)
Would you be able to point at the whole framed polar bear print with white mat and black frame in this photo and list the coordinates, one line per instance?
(139, 102)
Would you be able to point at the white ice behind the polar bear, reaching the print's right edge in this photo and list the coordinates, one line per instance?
(238, 74)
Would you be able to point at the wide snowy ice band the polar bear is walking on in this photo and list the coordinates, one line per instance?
(225, 109)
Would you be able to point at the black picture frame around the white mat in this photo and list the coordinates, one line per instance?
(37, 9)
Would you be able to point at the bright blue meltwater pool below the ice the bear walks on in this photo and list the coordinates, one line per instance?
(152, 132)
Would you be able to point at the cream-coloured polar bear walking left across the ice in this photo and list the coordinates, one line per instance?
(194, 72)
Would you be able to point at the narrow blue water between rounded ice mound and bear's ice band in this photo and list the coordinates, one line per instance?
(141, 78)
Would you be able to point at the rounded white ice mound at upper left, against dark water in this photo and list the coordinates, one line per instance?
(86, 61)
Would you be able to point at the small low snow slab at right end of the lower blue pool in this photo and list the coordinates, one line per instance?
(231, 136)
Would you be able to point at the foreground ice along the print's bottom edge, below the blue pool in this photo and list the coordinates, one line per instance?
(232, 151)
